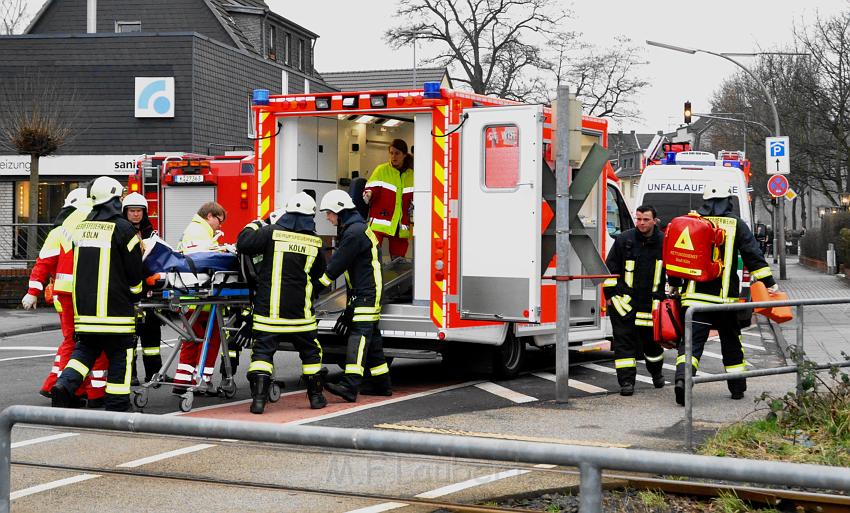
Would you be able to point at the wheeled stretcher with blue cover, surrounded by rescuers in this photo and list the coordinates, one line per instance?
(178, 301)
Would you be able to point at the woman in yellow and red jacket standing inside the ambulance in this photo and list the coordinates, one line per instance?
(389, 193)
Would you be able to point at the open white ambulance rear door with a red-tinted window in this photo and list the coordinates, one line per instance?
(500, 213)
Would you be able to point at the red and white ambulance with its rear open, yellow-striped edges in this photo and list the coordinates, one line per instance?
(476, 277)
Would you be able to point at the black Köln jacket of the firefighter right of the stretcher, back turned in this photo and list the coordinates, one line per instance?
(287, 279)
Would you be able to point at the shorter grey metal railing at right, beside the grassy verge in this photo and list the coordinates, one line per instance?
(690, 380)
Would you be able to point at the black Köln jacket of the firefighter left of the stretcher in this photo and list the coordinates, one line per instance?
(107, 272)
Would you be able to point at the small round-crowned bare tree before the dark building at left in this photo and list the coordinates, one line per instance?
(36, 120)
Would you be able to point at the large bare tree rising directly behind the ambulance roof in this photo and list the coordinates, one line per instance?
(491, 42)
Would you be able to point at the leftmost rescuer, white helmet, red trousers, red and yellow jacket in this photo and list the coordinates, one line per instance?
(56, 259)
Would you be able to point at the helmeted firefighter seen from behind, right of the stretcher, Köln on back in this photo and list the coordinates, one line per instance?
(283, 300)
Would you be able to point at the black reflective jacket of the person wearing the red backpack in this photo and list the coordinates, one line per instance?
(739, 240)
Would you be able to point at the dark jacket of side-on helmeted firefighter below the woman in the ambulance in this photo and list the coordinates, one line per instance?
(356, 255)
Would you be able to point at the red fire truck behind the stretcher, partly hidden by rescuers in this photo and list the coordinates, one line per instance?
(176, 185)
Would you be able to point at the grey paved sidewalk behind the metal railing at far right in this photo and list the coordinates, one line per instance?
(826, 328)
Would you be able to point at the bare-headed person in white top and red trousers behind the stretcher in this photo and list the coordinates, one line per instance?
(202, 234)
